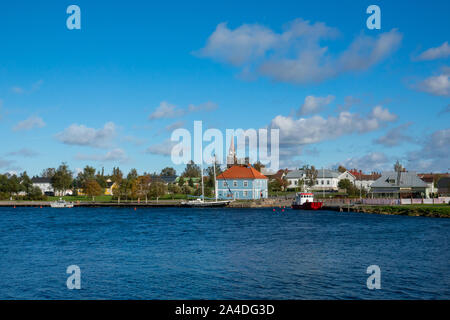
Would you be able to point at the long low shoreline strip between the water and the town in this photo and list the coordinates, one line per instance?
(435, 211)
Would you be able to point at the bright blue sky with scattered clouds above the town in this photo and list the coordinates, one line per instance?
(87, 96)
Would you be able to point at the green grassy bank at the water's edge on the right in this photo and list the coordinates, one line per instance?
(422, 210)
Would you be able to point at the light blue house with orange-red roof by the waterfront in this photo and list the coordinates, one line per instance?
(242, 182)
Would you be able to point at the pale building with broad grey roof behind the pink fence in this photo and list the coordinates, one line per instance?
(403, 184)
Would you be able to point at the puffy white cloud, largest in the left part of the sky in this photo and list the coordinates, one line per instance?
(85, 136)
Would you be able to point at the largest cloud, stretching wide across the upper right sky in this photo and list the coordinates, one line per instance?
(296, 55)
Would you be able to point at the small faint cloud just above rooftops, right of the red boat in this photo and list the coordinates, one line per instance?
(374, 161)
